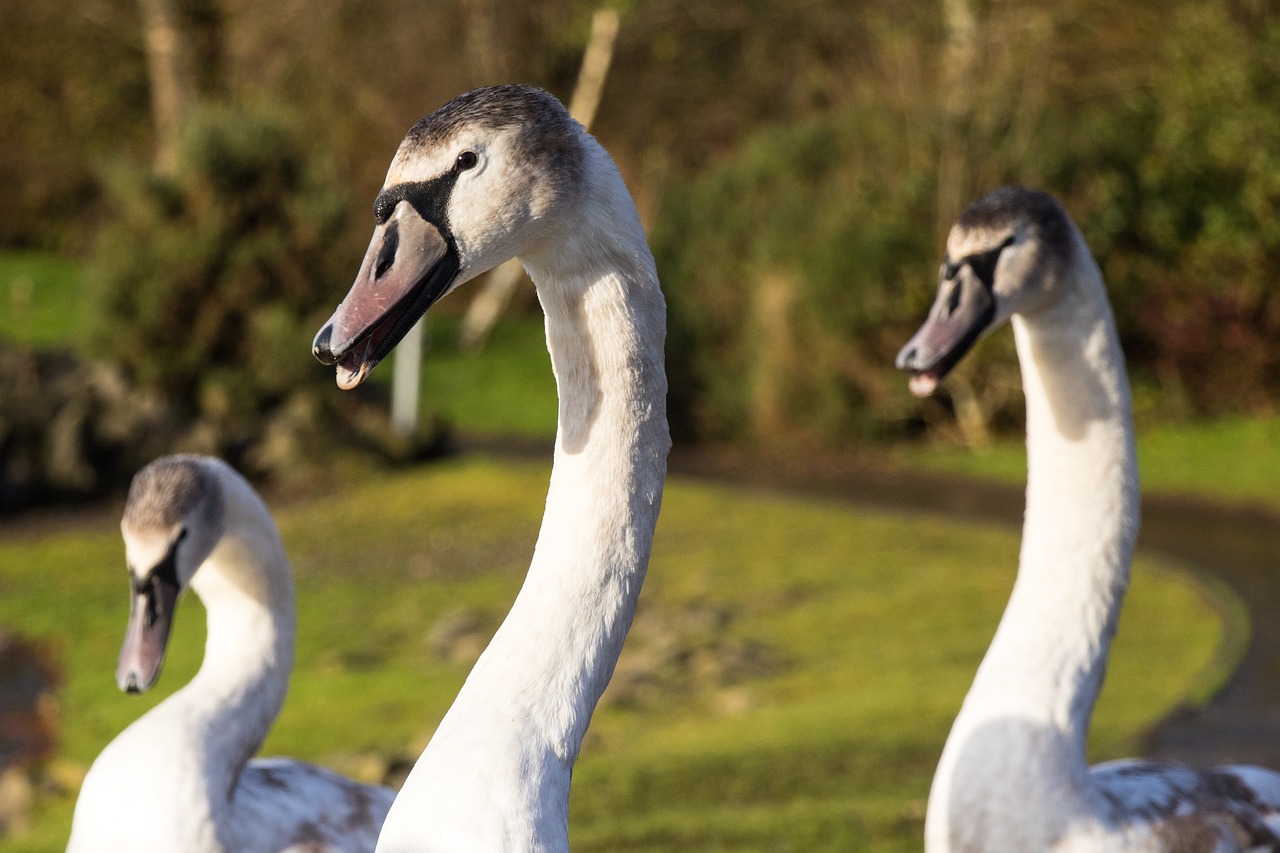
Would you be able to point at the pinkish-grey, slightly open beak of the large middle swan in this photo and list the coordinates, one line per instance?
(408, 267)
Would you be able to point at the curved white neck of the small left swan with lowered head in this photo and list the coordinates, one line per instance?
(248, 591)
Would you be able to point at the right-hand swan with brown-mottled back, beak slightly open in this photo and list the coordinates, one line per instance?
(1013, 776)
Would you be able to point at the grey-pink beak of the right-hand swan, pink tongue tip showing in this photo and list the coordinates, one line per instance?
(963, 311)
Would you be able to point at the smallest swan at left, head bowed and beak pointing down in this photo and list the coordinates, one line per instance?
(180, 778)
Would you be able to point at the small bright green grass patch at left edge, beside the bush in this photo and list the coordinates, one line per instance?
(40, 299)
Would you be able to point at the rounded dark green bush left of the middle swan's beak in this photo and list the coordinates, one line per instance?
(211, 284)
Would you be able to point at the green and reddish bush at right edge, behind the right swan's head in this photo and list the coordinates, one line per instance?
(1200, 244)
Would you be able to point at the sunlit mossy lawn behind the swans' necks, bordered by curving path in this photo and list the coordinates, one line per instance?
(866, 633)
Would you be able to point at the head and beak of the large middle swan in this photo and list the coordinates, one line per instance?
(473, 185)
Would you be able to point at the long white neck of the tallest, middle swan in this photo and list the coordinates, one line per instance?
(497, 773)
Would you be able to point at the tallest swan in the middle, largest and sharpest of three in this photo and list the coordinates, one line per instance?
(497, 174)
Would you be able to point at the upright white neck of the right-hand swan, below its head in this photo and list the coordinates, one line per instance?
(1082, 505)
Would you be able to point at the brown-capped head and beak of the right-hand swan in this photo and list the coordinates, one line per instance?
(1005, 256)
